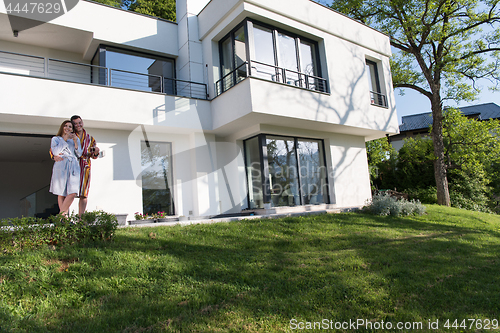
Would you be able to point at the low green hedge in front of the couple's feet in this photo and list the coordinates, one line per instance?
(29, 232)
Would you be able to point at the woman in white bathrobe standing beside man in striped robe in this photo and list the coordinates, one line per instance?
(65, 182)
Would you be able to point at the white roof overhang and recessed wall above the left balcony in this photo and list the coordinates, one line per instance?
(92, 23)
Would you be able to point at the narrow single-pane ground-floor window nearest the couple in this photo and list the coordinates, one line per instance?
(156, 162)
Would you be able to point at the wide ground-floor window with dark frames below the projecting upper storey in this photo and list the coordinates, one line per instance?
(285, 171)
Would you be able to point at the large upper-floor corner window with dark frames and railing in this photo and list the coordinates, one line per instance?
(262, 51)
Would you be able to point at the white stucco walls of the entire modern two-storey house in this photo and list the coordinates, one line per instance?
(206, 136)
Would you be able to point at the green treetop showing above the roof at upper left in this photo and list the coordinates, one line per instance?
(160, 8)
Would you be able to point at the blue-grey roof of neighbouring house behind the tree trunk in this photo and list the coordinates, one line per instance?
(424, 120)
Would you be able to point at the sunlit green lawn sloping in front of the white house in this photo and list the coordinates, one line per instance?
(258, 275)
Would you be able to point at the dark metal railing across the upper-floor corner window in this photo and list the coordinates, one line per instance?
(271, 73)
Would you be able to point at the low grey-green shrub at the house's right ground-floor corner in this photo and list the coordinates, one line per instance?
(384, 204)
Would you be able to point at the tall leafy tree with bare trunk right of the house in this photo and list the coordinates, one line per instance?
(441, 44)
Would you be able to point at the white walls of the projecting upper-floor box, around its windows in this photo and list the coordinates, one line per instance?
(344, 45)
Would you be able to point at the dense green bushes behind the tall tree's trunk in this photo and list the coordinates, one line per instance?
(472, 154)
